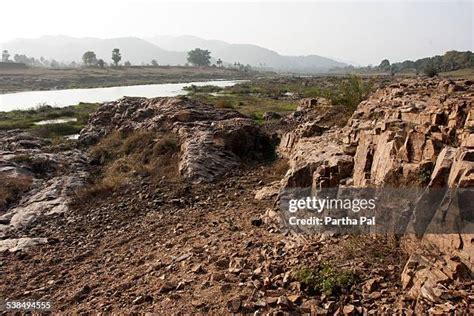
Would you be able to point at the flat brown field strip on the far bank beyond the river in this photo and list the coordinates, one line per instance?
(50, 79)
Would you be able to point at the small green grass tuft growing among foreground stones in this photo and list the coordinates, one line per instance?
(325, 279)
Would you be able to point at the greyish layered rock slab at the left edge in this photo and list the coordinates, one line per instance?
(36, 181)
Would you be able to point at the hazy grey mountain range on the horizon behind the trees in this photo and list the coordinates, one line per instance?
(167, 50)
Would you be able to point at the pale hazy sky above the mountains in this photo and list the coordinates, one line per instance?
(362, 32)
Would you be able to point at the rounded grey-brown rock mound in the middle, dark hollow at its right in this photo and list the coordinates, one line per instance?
(213, 141)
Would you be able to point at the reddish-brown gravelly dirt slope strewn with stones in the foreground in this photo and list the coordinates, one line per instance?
(175, 248)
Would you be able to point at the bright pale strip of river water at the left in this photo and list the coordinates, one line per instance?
(61, 98)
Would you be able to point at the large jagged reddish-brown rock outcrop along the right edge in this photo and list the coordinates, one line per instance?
(412, 134)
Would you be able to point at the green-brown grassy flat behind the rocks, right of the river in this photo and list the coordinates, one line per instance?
(256, 97)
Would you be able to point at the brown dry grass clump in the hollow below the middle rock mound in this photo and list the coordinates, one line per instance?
(123, 158)
